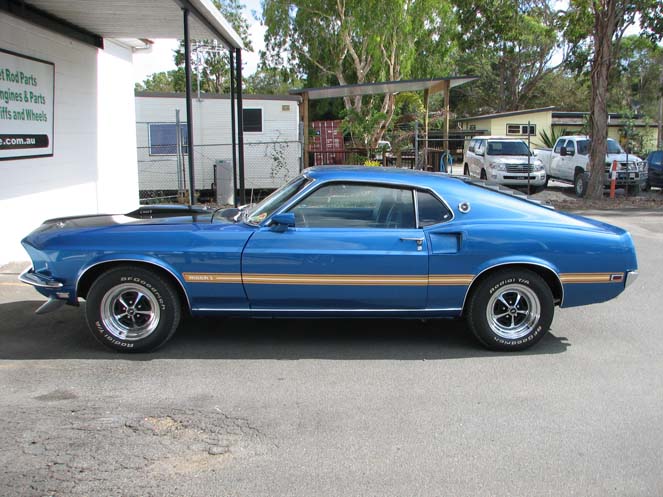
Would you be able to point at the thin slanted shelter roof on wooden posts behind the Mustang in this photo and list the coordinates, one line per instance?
(432, 85)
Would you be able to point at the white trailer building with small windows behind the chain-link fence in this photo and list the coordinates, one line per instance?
(272, 149)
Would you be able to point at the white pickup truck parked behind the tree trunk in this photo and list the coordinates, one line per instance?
(568, 161)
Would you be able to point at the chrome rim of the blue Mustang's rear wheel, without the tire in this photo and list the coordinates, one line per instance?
(513, 311)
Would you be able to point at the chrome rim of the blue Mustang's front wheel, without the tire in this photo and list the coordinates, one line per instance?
(130, 312)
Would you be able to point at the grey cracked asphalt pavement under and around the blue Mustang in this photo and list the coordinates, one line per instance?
(323, 408)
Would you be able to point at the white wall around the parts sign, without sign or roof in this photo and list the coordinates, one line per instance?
(93, 103)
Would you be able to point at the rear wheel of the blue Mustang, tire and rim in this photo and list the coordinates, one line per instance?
(510, 310)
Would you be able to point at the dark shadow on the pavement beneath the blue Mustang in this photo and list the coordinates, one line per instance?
(63, 334)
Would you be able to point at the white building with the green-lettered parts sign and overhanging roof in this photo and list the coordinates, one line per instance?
(67, 110)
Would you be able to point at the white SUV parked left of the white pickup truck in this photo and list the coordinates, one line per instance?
(502, 160)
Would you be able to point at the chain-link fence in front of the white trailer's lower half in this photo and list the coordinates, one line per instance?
(163, 173)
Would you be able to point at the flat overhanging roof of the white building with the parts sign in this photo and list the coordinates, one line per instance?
(137, 18)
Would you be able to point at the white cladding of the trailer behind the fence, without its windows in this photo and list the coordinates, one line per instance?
(212, 140)
